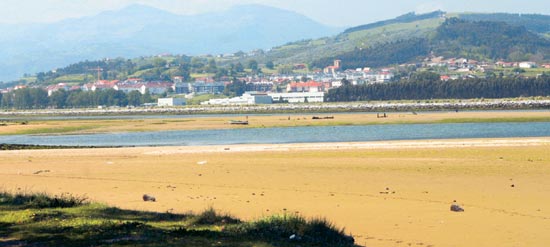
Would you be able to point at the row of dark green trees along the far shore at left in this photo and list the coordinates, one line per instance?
(37, 98)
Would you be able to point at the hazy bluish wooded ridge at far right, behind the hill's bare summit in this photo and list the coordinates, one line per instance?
(533, 22)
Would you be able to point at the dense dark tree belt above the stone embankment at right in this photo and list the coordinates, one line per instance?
(427, 85)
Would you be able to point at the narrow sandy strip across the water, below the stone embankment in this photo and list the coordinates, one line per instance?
(81, 126)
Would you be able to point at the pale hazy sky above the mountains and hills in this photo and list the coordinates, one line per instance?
(329, 12)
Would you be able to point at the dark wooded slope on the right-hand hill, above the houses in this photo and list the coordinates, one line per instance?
(478, 40)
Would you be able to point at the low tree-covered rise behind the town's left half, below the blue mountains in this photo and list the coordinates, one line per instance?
(148, 69)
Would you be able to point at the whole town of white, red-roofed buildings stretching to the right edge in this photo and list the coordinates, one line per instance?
(309, 87)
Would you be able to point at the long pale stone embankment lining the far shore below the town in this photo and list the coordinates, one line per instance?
(532, 103)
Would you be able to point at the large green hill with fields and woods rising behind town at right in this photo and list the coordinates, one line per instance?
(518, 36)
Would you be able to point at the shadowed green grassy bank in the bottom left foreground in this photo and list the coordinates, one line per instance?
(42, 220)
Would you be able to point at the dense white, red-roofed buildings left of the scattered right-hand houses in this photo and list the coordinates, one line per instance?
(298, 88)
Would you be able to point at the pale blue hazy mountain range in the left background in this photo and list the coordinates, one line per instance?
(140, 30)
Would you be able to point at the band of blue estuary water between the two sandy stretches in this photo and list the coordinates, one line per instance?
(292, 135)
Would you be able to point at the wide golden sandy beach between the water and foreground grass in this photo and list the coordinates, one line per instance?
(384, 193)
